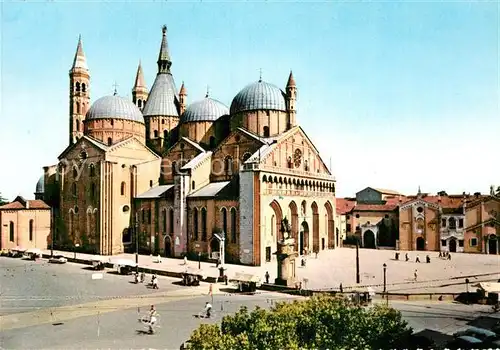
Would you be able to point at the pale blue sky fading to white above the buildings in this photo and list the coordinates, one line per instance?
(397, 94)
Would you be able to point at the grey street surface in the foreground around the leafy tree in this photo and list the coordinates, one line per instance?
(47, 306)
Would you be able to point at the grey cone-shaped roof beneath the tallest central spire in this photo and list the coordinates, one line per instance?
(162, 97)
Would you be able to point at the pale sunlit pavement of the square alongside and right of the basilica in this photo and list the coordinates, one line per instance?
(333, 267)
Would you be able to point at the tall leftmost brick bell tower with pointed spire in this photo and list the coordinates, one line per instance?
(79, 94)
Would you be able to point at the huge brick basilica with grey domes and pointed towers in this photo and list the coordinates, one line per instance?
(164, 176)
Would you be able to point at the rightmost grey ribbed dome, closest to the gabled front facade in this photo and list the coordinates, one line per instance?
(259, 95)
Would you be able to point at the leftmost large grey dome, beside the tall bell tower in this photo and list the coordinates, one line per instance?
(114, 107)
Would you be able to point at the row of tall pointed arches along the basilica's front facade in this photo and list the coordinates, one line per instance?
(312, 224)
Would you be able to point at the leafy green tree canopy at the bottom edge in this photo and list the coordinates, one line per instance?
(316, 323)
